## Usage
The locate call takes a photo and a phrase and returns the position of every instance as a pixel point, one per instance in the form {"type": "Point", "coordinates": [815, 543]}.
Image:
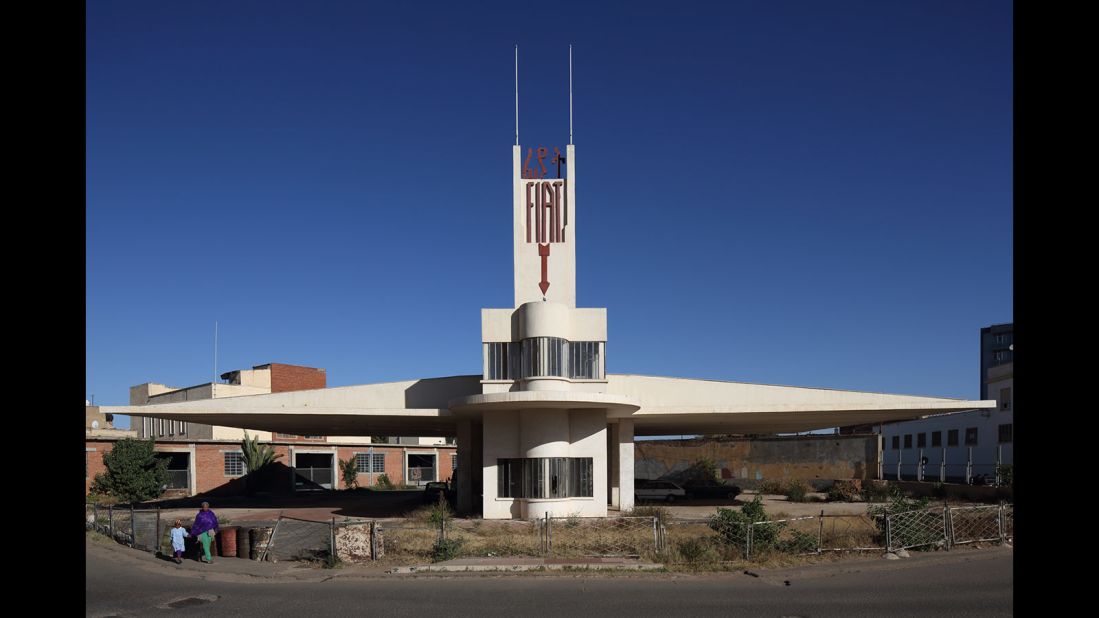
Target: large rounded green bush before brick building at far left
{"type": "Point", "coordinates": [135, 473]}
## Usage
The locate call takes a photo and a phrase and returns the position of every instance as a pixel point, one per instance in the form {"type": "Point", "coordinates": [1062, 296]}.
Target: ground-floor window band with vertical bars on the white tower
{"type": "Point", "coordinates": [546, 478]}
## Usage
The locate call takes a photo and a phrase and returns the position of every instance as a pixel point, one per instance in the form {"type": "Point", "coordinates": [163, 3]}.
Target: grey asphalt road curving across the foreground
{"type": "Point", "coordinates": [979, 586]}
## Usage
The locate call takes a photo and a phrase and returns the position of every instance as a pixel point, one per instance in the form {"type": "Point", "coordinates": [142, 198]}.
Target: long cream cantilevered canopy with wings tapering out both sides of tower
{"type": "Point", "coordinates": [659, 406]}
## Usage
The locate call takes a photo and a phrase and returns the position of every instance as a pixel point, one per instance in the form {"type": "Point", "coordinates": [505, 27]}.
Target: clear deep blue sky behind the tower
{"type": "Point", "coordinates": [813, 194]}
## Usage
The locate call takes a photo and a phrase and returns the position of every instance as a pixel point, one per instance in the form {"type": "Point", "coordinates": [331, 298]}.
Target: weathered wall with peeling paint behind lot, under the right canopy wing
{"type": "Point", "coordinates": [762, 459]}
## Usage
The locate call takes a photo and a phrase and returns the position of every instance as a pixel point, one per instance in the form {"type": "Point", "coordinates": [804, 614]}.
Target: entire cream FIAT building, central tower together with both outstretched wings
{"type": "Point", "coordinates": [545, 428]}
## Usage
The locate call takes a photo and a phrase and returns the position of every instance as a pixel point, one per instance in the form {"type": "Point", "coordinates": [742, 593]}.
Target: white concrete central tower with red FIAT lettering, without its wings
{"type": "Point", "coordinates": [543, 409]}
